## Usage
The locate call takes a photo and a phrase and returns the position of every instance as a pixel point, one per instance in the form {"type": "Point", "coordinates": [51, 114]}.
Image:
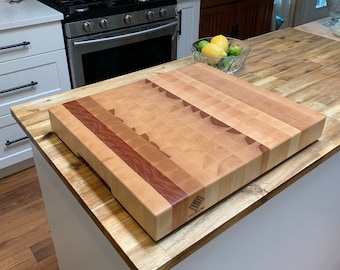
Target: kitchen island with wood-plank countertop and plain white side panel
{"type": "Point", "coordinates": [286, 219]}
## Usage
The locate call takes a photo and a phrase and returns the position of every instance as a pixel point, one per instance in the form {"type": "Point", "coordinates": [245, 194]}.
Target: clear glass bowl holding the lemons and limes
{"type": "Point", "coordinates": [229, 64]}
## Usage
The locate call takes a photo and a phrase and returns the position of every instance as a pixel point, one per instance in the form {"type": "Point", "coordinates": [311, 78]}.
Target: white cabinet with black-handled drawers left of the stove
{"type": "Point", "coordinates": [32, 64]}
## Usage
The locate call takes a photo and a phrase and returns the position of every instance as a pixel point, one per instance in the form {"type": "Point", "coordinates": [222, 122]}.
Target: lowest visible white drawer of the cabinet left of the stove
{"type": "Point", "coordinates": [14, 146]}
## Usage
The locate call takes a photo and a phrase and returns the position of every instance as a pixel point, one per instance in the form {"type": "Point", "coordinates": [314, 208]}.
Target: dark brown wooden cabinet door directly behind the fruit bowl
{"type": "Point", "coordinates": [218, 20]}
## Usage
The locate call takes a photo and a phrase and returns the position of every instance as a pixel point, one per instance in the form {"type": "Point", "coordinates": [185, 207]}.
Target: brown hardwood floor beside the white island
{"type": "Point", "coordinates": [25, 238]}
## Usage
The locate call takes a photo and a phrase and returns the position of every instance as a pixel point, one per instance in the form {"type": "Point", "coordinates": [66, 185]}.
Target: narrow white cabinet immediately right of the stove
{"type": "Point", "coordinates": [188, 12]}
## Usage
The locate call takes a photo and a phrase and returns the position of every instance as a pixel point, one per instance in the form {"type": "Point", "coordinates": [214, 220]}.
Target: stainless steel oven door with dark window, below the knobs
{"type": "Point", "coordinates": [102, 56]}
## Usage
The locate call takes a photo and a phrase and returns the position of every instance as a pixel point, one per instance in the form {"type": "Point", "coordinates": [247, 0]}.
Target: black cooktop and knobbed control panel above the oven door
{"type": "Point", "coordinates": [83, 17]}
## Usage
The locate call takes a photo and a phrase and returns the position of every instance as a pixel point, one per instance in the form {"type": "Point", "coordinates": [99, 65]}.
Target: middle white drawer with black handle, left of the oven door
{"type": "Point", "coordinates": [32, 77]}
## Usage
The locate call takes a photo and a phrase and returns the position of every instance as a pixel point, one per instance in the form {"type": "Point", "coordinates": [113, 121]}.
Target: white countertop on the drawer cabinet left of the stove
{"type": "Point", "coordinates": [26, 13]}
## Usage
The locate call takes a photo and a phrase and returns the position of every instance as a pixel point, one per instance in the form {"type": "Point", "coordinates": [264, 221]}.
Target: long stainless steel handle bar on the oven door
{"type": "Point", "coordinates": [120, 37]}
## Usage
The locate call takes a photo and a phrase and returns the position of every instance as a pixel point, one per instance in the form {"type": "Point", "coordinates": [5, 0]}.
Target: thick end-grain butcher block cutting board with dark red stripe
{"type": "Point", "coordinates": [173, 145]}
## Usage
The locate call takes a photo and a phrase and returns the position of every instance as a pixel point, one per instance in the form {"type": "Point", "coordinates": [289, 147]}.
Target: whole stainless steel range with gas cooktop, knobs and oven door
{"type": "Point", "coordinates": [107, 38]}
